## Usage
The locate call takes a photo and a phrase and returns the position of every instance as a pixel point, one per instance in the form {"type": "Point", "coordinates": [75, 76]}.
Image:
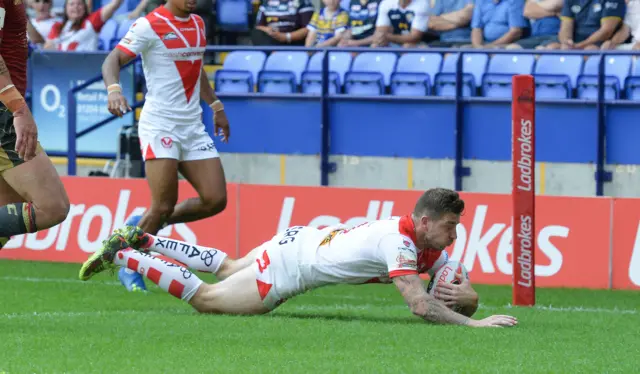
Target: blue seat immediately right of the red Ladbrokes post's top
{"type": "Point", "coordinates": [556, 76]}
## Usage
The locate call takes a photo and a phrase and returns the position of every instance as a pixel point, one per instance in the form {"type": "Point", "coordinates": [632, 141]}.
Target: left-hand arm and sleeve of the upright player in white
{"type": "Point", "coordinates": [134, 42]}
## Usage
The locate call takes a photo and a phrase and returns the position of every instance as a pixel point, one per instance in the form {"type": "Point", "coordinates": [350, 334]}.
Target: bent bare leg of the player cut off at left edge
{"type": "Point", "coordinates": [43, 200]}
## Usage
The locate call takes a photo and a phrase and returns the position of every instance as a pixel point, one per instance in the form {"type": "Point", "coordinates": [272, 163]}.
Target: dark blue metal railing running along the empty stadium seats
{"type": "Point", "coordinates": [601, 175]}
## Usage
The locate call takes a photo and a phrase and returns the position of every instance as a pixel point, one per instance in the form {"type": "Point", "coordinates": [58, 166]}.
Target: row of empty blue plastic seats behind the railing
{"type": "Point", "coordinates": [424, 74]}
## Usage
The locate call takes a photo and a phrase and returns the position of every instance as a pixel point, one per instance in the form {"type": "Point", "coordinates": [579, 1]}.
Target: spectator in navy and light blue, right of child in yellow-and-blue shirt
{"type": "Point", "coordinates": [362, 23]}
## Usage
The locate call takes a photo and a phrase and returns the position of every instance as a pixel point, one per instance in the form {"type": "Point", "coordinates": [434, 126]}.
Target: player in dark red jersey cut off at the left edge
{"type": "Point", "coordinates": [32, 196]}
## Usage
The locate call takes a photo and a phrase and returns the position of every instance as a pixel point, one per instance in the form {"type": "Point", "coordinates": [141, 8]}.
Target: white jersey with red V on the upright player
{"type": "Point", "coordinates": [172, 49]}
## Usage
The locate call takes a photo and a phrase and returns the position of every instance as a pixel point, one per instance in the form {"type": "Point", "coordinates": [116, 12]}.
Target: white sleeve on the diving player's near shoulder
{"type": "Point", "coordinates": [400, 255]}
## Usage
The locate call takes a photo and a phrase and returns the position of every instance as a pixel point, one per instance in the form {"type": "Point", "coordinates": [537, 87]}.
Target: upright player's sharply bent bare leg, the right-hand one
{"type": "Point", "coordinates": [207, 178]}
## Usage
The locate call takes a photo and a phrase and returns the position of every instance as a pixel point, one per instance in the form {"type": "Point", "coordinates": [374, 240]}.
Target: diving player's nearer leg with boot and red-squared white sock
{"type": "Point", "coordinates": [236, 295]}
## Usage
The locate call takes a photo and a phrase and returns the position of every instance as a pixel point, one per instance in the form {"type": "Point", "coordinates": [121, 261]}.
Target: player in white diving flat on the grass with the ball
{"type": "Point", "coordinates": [304, 258]}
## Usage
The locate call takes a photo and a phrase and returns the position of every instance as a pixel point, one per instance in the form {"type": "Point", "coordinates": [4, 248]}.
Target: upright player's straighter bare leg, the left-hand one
{"type": "Point", "coordinates": [162, 177]}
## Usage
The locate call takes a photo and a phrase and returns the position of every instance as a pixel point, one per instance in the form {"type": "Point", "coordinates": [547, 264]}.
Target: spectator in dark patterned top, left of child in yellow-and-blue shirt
{"type": "Point", "coordinates": [282, 22]}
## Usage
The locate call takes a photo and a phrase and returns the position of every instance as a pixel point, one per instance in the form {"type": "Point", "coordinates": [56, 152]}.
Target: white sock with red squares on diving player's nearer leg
{"type": "Point", "coordinates": [176, 280]}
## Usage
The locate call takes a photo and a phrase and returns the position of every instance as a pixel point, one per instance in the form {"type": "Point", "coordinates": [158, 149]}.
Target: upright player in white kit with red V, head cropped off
{"type": "Point", "coordinates": [173, 138]}
